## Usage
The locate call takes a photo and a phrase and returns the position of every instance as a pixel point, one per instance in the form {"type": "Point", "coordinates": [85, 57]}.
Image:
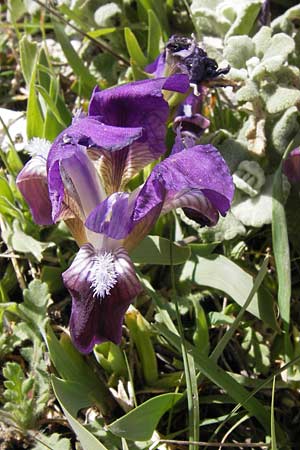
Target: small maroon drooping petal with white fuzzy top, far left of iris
{"type": "Point", "coordinates": [32, 182]}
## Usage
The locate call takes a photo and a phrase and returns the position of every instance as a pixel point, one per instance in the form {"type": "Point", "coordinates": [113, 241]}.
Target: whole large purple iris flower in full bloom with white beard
{"type": "Point", "coordinates": [84, 174]}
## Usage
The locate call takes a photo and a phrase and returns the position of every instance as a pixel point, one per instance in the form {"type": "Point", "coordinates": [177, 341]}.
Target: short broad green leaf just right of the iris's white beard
{"type": "Point", "coordinates": [156, 250]}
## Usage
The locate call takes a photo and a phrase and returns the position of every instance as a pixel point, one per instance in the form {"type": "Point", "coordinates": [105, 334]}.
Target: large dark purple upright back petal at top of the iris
{"type": "Point", "coordinates": [134, 106]}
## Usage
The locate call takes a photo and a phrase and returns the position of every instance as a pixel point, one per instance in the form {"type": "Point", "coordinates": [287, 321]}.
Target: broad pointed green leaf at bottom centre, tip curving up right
{"type": "Point", "coordinates": [140, 423]}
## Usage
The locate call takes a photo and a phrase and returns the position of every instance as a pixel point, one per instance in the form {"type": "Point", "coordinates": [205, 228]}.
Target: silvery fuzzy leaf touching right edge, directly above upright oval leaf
{"type": "Point", "coordinates": [281, 99]}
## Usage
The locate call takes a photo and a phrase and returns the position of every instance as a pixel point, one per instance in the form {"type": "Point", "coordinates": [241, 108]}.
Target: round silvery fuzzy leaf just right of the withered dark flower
{"type": "Point", "coordinates": [238, 49]}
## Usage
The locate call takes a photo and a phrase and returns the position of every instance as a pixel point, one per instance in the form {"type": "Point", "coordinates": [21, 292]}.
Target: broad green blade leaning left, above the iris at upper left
{"type": "Point", "coordinates": [88, 82]}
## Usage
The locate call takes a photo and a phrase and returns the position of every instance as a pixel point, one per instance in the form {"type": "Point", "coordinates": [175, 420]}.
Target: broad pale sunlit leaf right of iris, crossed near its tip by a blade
{"type": "Point", "coordinates": [219, 272]}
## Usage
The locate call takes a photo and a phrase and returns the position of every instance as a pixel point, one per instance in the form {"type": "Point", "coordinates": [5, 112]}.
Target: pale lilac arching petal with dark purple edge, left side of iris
{"type": "Point", "coordinates": [72, 174]}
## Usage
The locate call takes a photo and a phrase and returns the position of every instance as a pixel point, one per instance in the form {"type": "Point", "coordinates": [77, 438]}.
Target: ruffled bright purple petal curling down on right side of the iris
{"type": "Point", "coordinates": [197, 178]}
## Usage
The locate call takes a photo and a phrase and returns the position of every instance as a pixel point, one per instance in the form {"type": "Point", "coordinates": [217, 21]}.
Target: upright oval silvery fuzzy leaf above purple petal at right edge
{"type": "Point", "coordinates": [285, 129]}
